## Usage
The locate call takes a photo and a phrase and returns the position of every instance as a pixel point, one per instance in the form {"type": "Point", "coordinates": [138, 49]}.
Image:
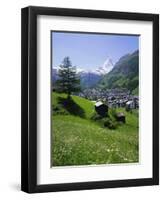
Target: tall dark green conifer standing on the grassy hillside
{"type": "Point", "coordinates": [68, 81]}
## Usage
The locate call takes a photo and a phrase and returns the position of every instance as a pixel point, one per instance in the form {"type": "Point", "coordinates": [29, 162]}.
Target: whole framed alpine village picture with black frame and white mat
{"type": "Point", "coordinates": [90, 99]}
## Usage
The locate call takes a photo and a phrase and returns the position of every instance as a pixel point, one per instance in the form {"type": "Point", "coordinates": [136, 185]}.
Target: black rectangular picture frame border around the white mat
{"type": "Point", "coordinates": [29, 99]}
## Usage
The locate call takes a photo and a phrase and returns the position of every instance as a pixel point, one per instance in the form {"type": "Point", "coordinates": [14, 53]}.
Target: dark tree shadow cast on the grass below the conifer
{"type": "Point", "coordinates": [71, 106]}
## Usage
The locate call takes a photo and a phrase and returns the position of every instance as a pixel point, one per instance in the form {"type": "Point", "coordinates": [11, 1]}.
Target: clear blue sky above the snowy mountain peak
{"type": "Point", "coordinates": [89, 51]}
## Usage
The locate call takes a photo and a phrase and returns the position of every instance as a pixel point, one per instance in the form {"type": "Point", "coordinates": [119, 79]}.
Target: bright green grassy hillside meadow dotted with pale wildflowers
{"type": "Point", "coordinates": [78, 140]}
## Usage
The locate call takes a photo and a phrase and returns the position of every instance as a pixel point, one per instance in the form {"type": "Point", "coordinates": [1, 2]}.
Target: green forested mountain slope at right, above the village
{"type": "Point", "coordinates": [125, 74]}
